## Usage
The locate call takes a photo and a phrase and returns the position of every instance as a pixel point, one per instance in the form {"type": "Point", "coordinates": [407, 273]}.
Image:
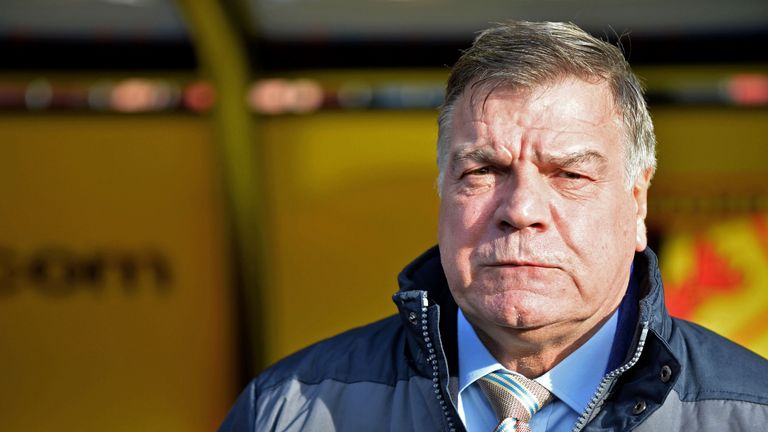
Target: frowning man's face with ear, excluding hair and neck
{"type": "Point", "coordinates": [537, 228]}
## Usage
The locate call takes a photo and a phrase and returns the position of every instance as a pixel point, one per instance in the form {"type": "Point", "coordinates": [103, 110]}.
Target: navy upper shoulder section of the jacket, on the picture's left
{"type": "Point", "coordinates": [367, 353]}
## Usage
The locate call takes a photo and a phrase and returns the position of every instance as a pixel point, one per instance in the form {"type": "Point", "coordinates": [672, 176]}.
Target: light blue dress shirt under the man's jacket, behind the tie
{"type": "Point", "coordinates": [573, 381]}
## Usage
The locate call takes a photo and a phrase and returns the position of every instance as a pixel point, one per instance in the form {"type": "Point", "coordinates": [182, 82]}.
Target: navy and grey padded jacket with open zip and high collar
{"type": "Point", "coordinates": [399, 374]}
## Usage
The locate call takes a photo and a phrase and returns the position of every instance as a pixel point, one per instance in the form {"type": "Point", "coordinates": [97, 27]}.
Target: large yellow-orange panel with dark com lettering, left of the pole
{"type": "Point", "coordinates": [86, 200]}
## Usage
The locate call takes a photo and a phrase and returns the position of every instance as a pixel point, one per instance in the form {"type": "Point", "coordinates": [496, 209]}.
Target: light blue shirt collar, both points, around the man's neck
{"type": "Point", "coordinates": [574, 389]}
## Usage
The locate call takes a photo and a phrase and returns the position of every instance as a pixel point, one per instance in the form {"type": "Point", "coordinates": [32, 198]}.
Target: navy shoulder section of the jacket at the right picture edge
{"type": "Point", "coordinates": [717, 368]}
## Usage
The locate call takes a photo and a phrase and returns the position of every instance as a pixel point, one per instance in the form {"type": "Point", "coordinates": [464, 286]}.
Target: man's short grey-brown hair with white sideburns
{"type": "Point", "coordinates": [526, 55]}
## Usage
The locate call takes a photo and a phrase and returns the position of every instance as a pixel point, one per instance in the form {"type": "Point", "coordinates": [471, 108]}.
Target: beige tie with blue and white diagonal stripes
{"type": "Point", "coordinates": [514, 398]}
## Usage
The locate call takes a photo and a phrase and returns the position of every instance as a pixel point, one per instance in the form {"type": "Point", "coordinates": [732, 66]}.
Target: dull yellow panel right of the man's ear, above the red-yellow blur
{"type": "Point", "coordinates": [711, 166]}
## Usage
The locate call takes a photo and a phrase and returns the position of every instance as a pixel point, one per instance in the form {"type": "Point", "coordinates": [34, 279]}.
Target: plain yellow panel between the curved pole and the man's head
{"type": "Point", "coordinates": [353, 201]}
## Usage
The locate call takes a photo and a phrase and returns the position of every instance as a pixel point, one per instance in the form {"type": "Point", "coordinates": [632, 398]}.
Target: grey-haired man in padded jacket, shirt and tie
{"type": "Point", "coordinates": [542, 308]}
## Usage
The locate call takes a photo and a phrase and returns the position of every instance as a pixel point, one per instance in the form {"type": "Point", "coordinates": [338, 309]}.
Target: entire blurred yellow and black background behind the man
{"type": "Point", "coordinates": [190, 190]}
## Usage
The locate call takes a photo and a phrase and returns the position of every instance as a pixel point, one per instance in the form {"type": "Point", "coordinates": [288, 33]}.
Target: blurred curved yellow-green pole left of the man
{"type": "Point", "coordinates": [223, 58]}
